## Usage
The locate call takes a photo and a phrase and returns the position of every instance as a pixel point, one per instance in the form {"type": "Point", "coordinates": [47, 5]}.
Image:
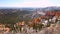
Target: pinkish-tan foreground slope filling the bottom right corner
{"type": "Point", "coordinates": [53, 29]}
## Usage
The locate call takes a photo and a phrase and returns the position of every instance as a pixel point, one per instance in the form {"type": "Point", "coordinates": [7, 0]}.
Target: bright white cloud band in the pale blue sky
{"type": "Point", "coordinates": [30, 3]}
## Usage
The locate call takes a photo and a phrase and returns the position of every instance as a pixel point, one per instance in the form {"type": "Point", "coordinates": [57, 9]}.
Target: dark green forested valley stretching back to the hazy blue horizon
{"type": "Point", "coordinates": [13, 15]}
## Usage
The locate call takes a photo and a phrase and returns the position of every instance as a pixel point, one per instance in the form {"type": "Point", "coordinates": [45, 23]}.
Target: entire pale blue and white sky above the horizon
{"type": "Point", "coordinates": [29, 3]}
